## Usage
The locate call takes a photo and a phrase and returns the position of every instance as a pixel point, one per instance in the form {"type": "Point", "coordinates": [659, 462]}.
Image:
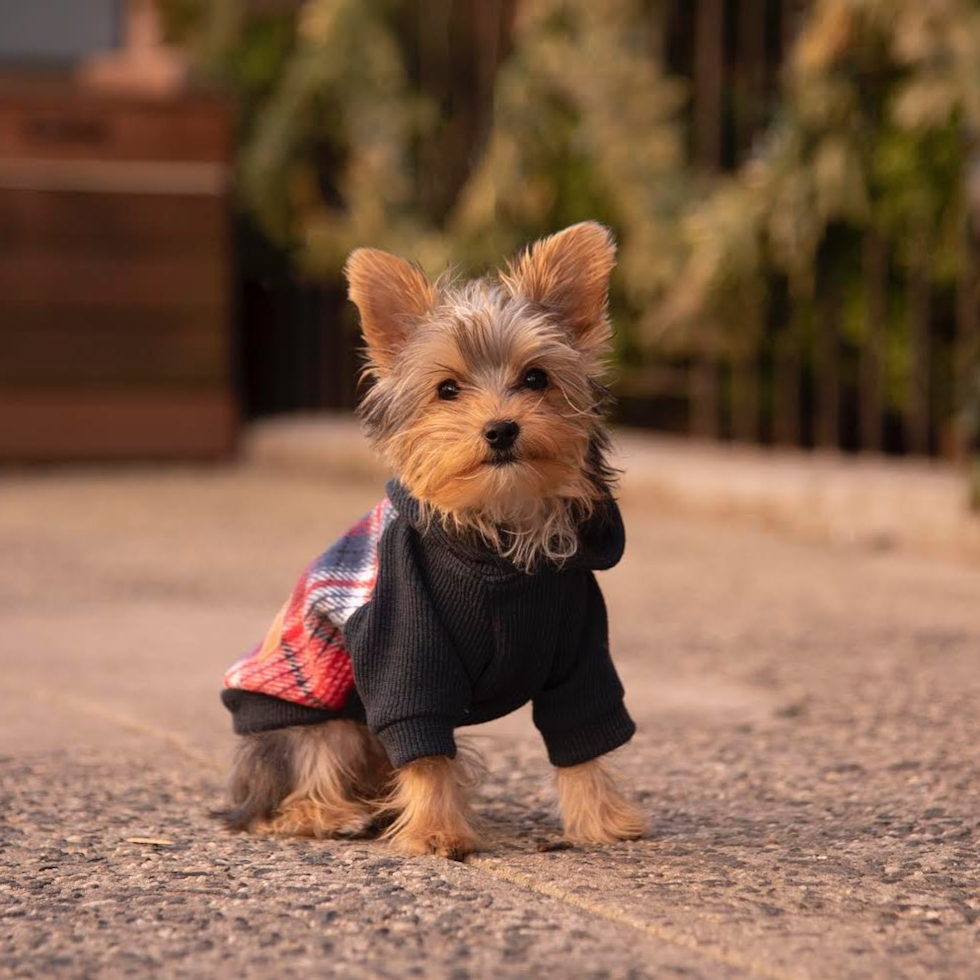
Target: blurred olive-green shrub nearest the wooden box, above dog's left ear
{"type": "Point", "coordinates": [329, 124]}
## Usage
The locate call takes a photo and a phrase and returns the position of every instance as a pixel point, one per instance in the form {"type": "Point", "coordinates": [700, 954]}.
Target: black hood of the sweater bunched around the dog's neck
{"type": "Point", "coordinates": [602, 539]}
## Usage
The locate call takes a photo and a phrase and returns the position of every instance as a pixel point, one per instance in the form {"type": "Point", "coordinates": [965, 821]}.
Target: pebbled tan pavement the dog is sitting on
{"type": "Point", "coordinates": [808, 757]}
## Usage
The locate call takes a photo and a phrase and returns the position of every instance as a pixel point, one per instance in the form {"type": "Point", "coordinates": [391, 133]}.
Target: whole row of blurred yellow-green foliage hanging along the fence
{"type": "Point", "coordinates": [344, 142]}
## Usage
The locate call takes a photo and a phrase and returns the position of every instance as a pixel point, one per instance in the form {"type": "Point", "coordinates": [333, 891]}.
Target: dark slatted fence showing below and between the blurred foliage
{"type": "Point", "coordinates": [807, 382]}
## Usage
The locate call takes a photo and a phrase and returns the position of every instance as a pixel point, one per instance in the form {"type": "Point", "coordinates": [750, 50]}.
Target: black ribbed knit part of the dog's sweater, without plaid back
{"type": "Point", "coordinates": [455, 635]}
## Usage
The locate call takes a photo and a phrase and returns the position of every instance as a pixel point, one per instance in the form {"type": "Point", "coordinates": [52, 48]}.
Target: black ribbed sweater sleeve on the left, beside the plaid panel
{"type": "Point", "coordinates": [406, 669]}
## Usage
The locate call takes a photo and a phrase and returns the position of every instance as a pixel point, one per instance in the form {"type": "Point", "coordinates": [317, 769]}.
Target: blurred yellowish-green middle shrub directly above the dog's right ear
{"type": "Point", "coordinates": [586, 125]}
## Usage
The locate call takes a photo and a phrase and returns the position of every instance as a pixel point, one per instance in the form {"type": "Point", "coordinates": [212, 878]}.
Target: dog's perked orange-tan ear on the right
{"type": "Point", "coordinates": [569, 273]}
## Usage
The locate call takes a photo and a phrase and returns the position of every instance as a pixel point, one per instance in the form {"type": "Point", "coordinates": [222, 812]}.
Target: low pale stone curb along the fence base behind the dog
{"type": "Point", "coordinates": [868, 501]}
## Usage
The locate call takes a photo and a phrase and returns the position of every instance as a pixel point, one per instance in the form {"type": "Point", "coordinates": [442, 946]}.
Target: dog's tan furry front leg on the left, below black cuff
{"type": "Point", "coordinates": [431, 800]}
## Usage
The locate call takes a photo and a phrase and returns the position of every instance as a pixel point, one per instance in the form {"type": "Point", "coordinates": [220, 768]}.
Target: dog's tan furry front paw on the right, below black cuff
{"type": "Point", "coordinates": [593, 810]}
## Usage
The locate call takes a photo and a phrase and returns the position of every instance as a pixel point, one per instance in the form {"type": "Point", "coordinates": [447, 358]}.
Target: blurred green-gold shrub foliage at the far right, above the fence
{"type": "Point", "coordinates": [881, 98]}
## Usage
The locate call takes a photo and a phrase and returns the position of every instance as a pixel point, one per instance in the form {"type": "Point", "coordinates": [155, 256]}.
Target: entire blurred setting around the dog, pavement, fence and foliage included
{"type": "Point", "coordinates": [795, 187]}
